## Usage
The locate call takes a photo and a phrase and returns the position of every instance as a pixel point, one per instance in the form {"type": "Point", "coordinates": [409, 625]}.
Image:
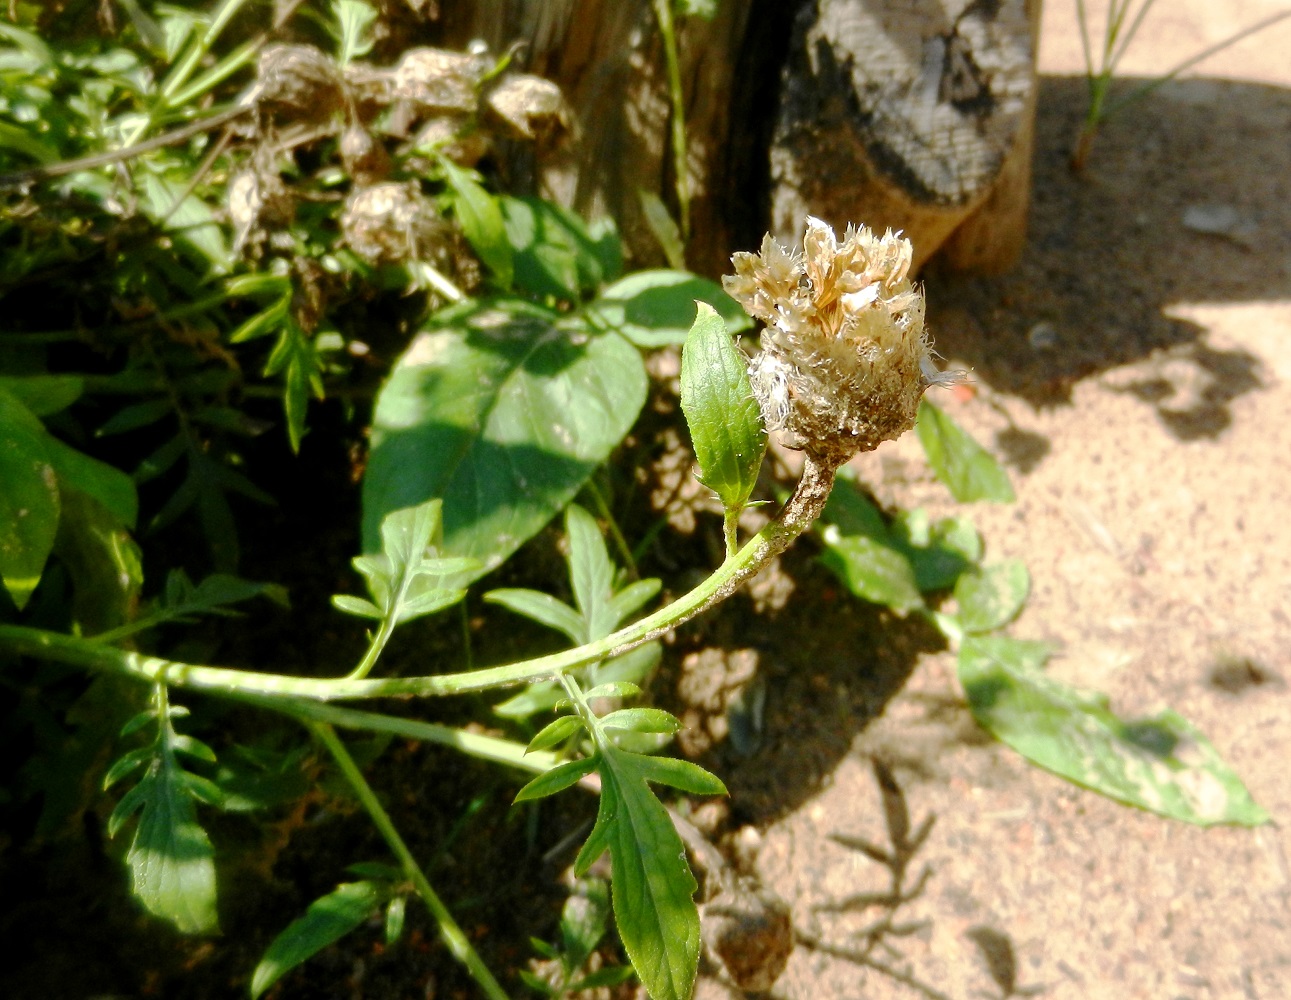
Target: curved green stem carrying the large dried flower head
{"type": "Point", "coordinates": [802, 509]}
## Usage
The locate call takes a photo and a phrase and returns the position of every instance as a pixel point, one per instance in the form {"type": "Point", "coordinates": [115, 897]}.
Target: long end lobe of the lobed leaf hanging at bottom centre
{"type": "Point", "coordinates": [651, 883]}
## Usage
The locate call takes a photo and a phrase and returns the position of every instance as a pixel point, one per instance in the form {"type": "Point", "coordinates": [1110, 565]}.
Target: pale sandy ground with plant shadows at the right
{"type": "Point", "coordinates": [1134, 371]}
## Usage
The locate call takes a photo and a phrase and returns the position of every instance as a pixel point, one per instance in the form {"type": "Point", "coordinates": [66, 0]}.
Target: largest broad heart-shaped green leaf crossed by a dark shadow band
{"type": "Point", "coordinates": [502, 416]}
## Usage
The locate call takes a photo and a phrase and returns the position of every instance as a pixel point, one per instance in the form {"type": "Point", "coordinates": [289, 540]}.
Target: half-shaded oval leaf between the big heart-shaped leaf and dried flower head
{"type": "Point", "coordinates": [654, 309]}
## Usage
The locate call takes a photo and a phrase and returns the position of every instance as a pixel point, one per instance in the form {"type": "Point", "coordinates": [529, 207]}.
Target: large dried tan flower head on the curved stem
{"type": "Point", "coordinates": [845, 358]}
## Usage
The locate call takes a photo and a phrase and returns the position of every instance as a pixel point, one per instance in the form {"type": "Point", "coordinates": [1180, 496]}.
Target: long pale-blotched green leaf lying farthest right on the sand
{"type": "Point", "coordinates": [1161, 765]}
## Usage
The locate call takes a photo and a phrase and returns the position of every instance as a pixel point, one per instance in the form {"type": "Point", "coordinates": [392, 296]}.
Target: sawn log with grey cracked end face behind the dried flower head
{"type": "Point", "coordinates": [910, 114]}
